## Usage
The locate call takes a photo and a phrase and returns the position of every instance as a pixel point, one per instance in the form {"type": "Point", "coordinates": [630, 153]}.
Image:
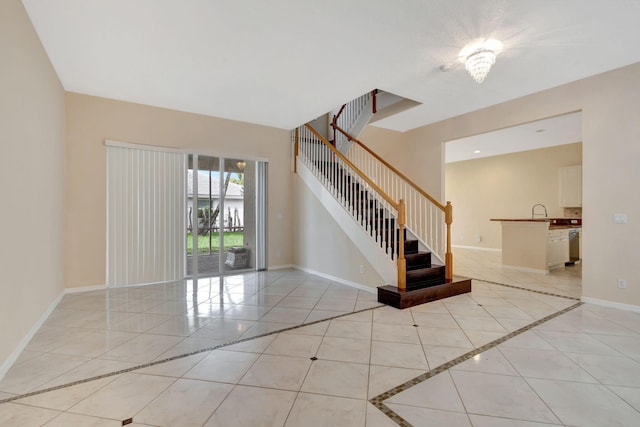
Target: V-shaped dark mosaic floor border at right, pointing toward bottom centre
{"type": "Point", "coordinates": [378, 401]}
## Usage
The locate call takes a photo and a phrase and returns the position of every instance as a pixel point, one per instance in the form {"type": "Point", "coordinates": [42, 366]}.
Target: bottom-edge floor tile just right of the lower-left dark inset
{"type": "Point", "coordinates": [185, 403]}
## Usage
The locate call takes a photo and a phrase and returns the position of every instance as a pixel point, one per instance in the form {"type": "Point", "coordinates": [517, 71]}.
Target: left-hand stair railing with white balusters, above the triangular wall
{"type": "Point", "coordinates": [374, 210]}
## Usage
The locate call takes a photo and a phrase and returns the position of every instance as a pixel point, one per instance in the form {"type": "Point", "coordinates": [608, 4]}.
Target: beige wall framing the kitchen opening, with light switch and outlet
{"type": "Point", "coordinates": [610, 172]}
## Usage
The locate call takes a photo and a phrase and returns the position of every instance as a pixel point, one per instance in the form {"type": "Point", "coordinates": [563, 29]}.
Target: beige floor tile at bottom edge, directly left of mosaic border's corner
{"type": "Point", "coordinates": [315, 410]}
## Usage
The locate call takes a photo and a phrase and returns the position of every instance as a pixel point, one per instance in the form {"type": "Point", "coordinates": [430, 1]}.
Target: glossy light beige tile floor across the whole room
{"type": "Point", "coordinates": [168, 356]}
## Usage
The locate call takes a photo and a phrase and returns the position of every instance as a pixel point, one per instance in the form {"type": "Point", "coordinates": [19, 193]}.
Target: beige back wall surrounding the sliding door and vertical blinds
{"type": "Point", "coordinates": [91, 120]}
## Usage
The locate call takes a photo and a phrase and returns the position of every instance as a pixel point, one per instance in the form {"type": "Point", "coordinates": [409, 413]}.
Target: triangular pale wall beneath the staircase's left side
{"type": "Point", "coordinates": [321, 244]}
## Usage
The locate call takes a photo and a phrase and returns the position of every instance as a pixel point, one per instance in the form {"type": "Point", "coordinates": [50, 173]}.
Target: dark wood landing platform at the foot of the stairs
{"type": "Point", "coordinates": [390, 295]}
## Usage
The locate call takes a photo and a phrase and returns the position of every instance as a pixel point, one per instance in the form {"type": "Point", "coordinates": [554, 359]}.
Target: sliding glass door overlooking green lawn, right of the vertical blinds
{"type": "Point", "coordinates": [224, 232]}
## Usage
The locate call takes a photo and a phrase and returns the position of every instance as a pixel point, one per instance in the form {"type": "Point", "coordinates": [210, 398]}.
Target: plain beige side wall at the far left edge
{"type": "Point", "coordinates": [31, 179]}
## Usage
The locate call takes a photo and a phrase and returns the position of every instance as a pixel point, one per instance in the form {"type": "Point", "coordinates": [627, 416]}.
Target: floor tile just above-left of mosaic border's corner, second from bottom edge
{"type": "Point", "coordinates": [337, 379]}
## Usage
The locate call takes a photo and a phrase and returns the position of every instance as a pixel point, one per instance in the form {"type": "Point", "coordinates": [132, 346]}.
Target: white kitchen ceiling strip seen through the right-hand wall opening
{"type": "Point", "coordinates": [559, 130]}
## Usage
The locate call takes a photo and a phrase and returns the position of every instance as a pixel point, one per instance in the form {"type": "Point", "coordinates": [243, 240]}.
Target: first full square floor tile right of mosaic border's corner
{"type": "Point", "coordinates": [501, 396]}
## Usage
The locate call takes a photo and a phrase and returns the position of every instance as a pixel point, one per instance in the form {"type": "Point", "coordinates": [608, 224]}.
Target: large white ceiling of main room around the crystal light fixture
{"type": "Point", "coordinates": [285, 62]}
